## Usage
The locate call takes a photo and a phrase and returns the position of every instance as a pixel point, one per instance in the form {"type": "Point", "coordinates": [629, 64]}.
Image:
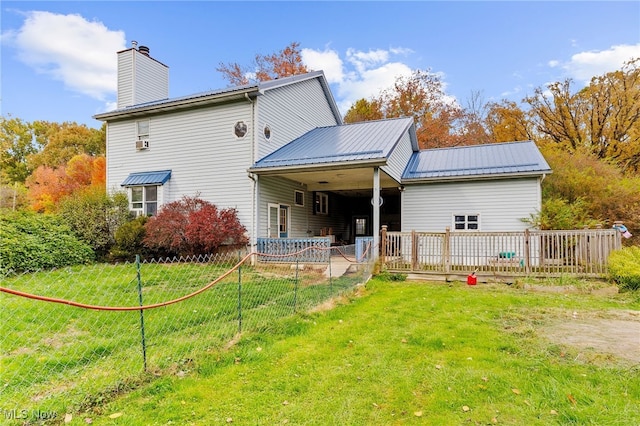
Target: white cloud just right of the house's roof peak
{"type": "Point", "coordinates": [360, 75]}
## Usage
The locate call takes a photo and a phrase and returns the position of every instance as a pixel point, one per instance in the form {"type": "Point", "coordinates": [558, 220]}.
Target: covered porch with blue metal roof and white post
{"type": "Point", "coordinates": [339, 183]}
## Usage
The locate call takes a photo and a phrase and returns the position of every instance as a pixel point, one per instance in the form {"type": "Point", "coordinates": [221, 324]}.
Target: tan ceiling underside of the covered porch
{"type": "Point", "coordinates": [341, 180]}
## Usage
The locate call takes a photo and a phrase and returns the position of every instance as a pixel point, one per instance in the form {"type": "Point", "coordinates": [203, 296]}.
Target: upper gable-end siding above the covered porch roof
{"type": "Point", "coordinates": [291, 111]}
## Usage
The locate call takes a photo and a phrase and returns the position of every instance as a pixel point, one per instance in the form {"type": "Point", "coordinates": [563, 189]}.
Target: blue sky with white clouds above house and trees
{"type": "Point", "coordinates": [59, 58]}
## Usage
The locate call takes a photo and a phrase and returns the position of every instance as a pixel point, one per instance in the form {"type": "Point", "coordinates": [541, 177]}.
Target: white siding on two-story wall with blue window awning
{"type": "Point", "coordinates": [200, 149]}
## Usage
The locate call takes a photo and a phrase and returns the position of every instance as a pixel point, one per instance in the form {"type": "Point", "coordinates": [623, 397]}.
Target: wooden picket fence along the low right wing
{"type": "Point", "coordinates": [528, 253]}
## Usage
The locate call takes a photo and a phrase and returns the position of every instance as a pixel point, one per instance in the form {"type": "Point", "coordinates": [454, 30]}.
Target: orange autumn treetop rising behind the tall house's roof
{"type": "Point", "coordinates": [284, 63]}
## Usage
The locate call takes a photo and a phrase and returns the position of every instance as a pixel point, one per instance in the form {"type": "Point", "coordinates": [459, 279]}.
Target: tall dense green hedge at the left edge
{"type": "Point", "coordinates": [32, 241]}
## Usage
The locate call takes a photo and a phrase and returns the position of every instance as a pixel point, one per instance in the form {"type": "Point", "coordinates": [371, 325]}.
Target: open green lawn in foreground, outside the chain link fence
{"type": "Point", "coordinates": [400, 353]}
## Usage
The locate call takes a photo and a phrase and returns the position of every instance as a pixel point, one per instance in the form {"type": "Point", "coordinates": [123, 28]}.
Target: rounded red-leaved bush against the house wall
{"type": "Point", "coordinates": [192, 226]}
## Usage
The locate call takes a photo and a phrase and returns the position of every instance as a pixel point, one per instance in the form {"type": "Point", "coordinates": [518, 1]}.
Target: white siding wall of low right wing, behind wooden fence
{"type": "Point", "coordinates": [500, 204]}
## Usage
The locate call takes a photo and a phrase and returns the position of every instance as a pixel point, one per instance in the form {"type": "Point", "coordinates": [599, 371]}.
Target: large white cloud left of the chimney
{"type": "Point", "coordinates": [70, 49]}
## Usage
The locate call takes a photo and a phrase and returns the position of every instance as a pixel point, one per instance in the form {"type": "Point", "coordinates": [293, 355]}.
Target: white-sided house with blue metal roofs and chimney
{"type": "Point", "coordinates": [279, 153]}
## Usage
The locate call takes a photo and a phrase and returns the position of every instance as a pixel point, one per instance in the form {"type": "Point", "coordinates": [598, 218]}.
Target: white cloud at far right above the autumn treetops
{"type": "Point", "coordinates": [585, 65]}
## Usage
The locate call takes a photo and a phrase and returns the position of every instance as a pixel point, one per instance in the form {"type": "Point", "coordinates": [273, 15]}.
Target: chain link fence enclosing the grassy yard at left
{"type": "Point", "coordinates": [69, 335]}
